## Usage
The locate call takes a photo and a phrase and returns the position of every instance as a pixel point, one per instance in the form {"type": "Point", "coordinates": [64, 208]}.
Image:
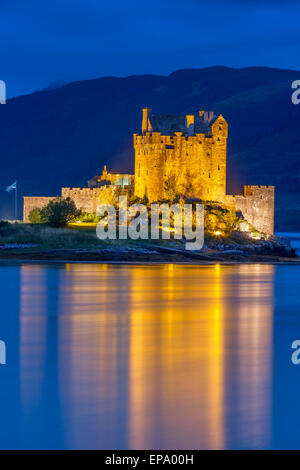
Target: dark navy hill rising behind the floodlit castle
{"type": "Point", "coordinates": [63, 137]}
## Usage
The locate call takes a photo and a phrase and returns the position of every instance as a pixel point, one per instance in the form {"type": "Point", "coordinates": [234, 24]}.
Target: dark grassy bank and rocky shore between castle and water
{"type": "Point", "coordinates": [39, 243]}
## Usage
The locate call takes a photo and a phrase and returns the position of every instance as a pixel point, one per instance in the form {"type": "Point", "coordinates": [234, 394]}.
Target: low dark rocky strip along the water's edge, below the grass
{"type": "Point", "coordinates": [273, 250]}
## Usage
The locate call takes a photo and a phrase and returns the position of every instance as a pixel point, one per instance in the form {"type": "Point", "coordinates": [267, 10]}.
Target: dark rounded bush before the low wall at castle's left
{"type": "Point", "coordinates": [59, 212]}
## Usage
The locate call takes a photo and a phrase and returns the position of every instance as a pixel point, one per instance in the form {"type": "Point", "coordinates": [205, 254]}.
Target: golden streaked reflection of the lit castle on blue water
{"type": "Point", "coordinates": [166, 356]}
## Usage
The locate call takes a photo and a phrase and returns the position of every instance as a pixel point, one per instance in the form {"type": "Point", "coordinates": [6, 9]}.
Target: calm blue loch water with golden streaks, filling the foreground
{"type": "Point", "coordinates": [149, 357]}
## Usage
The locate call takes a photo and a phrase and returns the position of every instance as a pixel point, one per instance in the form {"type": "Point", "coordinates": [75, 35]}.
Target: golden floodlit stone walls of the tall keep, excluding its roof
{"type": "Point", "coordinates": [196, 164]}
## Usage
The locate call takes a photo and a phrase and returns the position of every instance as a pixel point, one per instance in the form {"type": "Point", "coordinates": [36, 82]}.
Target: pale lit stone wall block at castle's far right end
{"type": "Point", "coordinates": [256, 205]}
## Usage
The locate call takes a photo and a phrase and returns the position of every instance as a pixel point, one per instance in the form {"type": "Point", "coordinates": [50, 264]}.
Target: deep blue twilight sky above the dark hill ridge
{"type": "Point", "coordinates": [49, 41]}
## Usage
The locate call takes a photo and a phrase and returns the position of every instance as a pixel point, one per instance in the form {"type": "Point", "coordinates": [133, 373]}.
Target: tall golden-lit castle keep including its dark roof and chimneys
{"type": "Point", "coordinates": [185, 155]}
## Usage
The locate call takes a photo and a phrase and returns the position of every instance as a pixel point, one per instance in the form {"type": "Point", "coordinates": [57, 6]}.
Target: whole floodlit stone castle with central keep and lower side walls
{"type": "Point", "coordinates": [184, 155]}
